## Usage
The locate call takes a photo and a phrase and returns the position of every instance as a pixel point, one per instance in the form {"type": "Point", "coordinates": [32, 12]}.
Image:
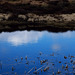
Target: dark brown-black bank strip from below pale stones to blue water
{"type": "Point", "coordinates": [36, 26]}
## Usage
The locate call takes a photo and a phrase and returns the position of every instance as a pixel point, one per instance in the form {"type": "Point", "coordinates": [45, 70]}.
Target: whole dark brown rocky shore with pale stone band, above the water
{"type": "Point", "coordinates": [52, 16]}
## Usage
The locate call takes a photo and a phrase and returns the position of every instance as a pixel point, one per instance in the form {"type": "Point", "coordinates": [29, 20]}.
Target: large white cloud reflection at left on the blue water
{"type": "Point", "coordinates": [19, 38]}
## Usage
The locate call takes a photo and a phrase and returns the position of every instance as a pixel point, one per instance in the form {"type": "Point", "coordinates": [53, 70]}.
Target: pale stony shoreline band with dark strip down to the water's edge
{"type": "Point", "coordinates": [31, 21]}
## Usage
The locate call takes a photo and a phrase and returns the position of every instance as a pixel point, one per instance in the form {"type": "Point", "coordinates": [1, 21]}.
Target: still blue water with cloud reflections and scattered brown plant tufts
{"type": "Point", "coordinates": [35, 52]}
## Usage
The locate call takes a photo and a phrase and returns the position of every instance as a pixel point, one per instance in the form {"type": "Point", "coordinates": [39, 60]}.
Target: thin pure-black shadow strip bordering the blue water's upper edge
{"type": "Point", "coordinates": [49, 29]}
